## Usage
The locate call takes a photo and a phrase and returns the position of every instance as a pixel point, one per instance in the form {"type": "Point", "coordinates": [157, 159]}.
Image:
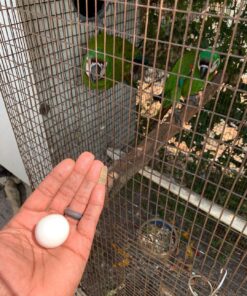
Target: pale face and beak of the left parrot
{"type": "Point", "coordinates": [95, 70]}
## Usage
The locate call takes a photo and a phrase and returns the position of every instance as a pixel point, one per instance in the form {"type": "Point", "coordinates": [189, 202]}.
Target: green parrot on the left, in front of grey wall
{"type": "Point", "coordinates": [98, 66]}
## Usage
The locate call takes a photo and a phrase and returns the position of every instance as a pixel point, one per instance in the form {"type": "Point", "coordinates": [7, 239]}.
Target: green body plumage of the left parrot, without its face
{"type": "Point", "coordinates": [118, 63]}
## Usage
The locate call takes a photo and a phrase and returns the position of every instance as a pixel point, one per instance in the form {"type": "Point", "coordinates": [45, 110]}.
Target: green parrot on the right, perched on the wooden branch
{"type": "Point", "coordinates": [172, 92]}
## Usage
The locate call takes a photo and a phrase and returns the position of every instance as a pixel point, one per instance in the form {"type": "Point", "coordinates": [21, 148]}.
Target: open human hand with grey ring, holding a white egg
{"type": "Point", "coordinates": [28, 269]}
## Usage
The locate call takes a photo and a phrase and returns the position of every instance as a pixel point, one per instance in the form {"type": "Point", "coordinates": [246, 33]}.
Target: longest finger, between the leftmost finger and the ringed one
{"type": "Point", "coordinates": [73, 182]}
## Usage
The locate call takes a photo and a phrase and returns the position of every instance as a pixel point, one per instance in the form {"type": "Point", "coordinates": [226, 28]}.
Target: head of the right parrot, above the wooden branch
{"type": "Point", "coordinates": [205, 57]}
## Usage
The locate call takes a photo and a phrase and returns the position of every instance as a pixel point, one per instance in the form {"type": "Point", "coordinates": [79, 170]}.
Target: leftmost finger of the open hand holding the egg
{"type": "Point", "coordinates": [42, 196]}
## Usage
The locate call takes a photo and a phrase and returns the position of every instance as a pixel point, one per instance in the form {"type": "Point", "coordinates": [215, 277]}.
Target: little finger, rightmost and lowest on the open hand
{"type": "Point", "coordinates": [88, 223]}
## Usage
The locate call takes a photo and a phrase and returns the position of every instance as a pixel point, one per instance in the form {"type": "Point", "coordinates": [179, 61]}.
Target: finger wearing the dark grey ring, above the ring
{"type": "Point", "coordinates": [80, 201]}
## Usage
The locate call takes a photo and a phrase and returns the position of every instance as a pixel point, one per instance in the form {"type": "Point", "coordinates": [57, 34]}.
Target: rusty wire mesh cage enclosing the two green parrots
{"type": "Point", "coordinates": [182, 172]}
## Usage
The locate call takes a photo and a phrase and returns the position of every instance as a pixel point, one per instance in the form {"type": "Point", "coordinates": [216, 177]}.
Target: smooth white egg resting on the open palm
{"type": "Point", "coordinates": [52, 231]}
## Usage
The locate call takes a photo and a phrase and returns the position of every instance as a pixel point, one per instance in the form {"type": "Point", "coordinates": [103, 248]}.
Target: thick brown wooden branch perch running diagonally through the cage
{"type": "Point", "coordinates": [125, 168]}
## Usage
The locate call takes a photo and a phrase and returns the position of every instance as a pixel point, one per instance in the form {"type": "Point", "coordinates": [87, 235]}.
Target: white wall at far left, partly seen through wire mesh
{"type": "Point", "coordinates": [19, 94]}
